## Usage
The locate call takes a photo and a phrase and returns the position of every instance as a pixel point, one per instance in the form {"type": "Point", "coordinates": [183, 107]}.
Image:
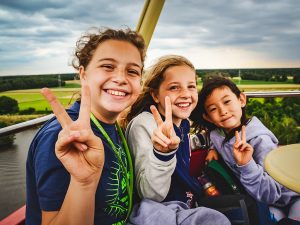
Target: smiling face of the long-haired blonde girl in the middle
{"type": "Point", "coordinates": [180, 85]}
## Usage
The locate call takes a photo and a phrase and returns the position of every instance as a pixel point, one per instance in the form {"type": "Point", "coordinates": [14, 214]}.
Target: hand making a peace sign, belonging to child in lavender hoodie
{"type": "Point", "coordinates": [242, 151]}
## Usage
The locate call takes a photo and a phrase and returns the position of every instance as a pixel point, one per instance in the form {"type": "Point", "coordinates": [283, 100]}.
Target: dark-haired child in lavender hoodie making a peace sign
{"type": "Point", "coordinates": [243, 144]}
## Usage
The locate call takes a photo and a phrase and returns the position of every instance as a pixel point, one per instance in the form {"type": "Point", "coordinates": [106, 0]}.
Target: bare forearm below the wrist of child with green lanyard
{"type": "Point", "coordinates": [78, 206]}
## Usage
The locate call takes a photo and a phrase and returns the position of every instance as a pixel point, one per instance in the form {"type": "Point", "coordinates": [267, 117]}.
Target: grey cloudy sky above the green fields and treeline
{"type": "Point", "coordinates": [38, 36]}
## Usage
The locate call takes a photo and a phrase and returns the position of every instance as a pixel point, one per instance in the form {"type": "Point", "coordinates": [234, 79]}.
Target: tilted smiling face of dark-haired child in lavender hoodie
{"type": "Point", "coordinates": [224, 108]}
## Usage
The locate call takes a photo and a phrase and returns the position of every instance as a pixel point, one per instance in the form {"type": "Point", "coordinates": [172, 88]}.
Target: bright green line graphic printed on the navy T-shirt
{"type": "Point", "coordinates": [117, 198]}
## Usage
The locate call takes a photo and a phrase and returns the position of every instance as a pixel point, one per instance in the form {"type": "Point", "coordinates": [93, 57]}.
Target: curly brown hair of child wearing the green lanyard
{"type": "Point", "coordinates": [88, 42]}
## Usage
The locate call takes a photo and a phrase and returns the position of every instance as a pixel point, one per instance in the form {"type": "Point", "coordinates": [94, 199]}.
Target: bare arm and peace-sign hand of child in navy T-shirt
{"type": "Point", "coordinates": [82, 155]}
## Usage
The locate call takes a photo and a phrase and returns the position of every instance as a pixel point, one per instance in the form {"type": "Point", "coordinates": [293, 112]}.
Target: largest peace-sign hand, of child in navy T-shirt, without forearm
{"type": "Point", "coordinates": [77, 147]}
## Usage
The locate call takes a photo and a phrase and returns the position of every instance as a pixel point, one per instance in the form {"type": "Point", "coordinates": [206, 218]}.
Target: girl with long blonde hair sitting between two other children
{"type": "Point", "coordinates": [159, 140]}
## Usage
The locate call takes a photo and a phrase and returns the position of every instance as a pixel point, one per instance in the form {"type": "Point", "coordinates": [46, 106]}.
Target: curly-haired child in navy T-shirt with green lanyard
{"type": "Point", "coordinates": [68, 180]}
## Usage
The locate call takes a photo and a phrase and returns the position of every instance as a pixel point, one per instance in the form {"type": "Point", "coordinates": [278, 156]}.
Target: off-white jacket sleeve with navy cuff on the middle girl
{"type": "Point", "coordinates": [153, 174]}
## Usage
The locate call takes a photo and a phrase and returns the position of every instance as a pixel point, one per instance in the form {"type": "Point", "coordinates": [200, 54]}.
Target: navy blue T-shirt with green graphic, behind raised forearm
{"type": "Point", "coordinates": [47, 180]}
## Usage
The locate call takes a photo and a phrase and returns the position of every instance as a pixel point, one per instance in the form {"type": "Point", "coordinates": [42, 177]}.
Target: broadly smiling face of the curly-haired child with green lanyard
{"type": "Point", "coordinates": [113, 75]}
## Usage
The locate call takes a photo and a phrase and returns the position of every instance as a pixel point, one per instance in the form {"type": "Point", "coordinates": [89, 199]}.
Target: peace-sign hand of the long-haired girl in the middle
{"type": "Point", "coordinates": [164, 138]}
